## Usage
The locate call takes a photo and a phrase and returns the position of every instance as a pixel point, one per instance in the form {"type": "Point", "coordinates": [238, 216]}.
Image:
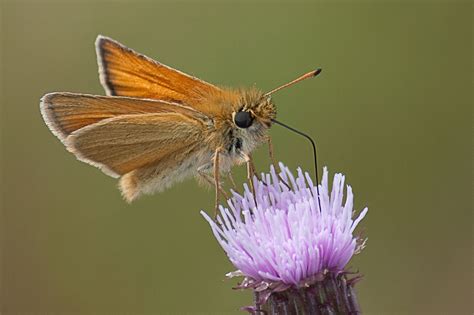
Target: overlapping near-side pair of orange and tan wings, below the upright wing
{"type": "Point", "coordinates": [120, 134]}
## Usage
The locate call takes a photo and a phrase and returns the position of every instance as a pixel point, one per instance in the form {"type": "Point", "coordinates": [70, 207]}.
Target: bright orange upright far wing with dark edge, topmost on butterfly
{"type": "Point", "coordinates": [125, 72]}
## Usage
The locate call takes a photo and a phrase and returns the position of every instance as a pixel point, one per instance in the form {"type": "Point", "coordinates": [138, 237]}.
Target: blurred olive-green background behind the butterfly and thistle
{"type": "Point", "coordinates": [391, 110]}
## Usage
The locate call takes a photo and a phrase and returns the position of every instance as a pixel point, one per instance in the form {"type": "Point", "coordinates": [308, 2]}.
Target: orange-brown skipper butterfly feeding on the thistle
{"type": "Point", "coordinates": [157, 126]}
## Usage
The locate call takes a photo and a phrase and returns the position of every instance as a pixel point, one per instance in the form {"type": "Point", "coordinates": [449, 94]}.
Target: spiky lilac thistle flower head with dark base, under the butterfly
{"type": "Point", "coordinates": [281, 241]}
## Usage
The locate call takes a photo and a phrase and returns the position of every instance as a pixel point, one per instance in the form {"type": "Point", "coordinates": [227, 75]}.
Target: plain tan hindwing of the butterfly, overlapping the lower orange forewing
{"type": "Point", "coordinates": [122, 144]}
